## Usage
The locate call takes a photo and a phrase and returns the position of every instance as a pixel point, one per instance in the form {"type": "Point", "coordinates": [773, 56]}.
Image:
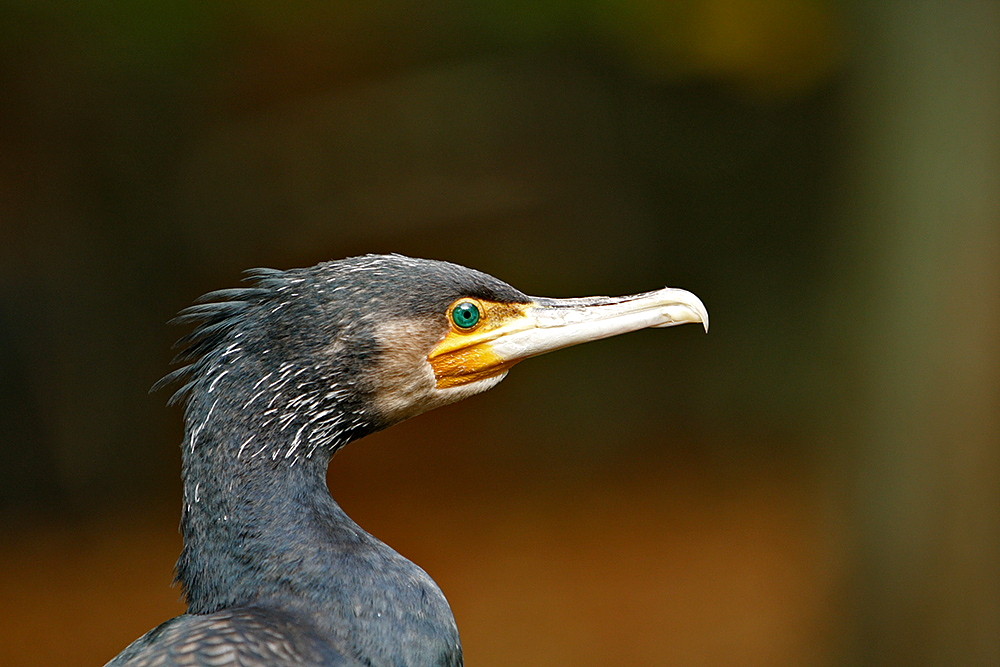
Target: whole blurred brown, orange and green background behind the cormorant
{"type": "Point", "coordinates": [815, 482]}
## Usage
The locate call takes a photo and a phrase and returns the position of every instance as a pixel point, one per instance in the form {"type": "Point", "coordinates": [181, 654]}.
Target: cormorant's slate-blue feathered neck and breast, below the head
{"type": "Point", "coordinates": [261, 529]}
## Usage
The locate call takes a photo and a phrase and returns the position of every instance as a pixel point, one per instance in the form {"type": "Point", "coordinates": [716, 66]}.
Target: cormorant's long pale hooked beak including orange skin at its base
{"type": "Point", "coordinates": [544, 325]}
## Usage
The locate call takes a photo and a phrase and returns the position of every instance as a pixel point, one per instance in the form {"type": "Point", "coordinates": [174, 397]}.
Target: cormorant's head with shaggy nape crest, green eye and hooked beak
{"type": "Point", "coordinates": [368, 341]}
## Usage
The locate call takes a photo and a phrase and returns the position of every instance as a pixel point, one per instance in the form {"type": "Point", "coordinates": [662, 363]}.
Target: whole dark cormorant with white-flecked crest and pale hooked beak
{"type": "Point", "coordinates": [279, 374]}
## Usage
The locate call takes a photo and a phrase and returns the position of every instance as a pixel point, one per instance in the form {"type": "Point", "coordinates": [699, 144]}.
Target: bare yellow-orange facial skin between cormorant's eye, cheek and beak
{"type": "Point", "coordinates": [465, 355]}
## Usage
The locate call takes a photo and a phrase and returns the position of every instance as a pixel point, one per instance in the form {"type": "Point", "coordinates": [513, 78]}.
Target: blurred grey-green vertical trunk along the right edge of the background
{"type": "Point", "coordinates": [925, 313]}
